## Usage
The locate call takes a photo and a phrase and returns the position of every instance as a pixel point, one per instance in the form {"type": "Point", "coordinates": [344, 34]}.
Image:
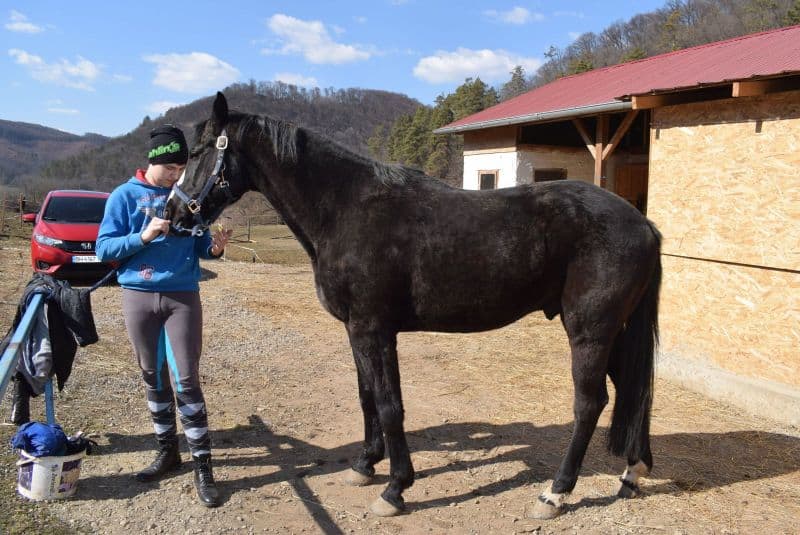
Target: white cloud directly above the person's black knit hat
{"type": "Point", "coordinates": [196, 72]}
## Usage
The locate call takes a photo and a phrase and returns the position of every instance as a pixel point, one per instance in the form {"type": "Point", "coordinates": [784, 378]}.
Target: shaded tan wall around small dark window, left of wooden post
{"type": "Point", "coordinates": [577, 161]}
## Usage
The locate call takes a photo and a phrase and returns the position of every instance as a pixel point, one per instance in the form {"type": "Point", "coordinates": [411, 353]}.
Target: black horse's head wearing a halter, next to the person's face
{"type": "Point", "coordinates": [212, 179]}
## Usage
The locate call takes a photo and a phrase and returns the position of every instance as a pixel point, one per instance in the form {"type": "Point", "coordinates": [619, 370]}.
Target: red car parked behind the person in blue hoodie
{"type": "Point", "coordinates": [65, 232]}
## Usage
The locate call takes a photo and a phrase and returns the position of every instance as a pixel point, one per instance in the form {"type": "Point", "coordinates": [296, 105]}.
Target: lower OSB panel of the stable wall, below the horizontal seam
{"type": "Point", "coordinates": [744, 320]}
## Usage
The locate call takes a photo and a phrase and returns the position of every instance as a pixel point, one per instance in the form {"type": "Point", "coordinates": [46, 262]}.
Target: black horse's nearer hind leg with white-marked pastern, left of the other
{"type": "Point", "coordinates": [589, 361]}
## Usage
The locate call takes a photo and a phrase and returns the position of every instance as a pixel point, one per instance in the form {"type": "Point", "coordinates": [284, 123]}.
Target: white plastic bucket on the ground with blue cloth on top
{"type": "Point", "coordinates": [48, 478]}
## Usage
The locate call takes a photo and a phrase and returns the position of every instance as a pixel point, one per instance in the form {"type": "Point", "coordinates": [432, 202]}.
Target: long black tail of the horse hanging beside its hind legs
{"type": "Point", "coordinates": [632, 368]}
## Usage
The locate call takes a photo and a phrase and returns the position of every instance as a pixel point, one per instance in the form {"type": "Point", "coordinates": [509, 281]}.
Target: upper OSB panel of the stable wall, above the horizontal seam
{"type": "Point", "coordinates": [725, 179]}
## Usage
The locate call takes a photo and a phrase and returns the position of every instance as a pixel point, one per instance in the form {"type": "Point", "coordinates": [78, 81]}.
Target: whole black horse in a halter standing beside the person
{"type": "Point", "coordinates": [394, 250]}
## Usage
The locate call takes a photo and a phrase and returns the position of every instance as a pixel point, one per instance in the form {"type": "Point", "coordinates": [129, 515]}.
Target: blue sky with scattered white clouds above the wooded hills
{"type": "Point", "coordinates": [91, 66]}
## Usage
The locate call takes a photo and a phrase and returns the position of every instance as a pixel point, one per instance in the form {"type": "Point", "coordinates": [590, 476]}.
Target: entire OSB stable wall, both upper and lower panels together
{"type": "Point", "coordinates": [724, 184]}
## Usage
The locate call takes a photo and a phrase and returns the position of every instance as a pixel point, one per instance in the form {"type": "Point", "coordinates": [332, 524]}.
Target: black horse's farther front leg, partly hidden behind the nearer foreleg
{"type": "Point", "coordinates": [373, 447]}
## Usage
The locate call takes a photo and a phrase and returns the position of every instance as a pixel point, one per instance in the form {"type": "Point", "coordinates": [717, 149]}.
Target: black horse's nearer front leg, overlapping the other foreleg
{"type": "Point", "coordinates": [375, 352]}
